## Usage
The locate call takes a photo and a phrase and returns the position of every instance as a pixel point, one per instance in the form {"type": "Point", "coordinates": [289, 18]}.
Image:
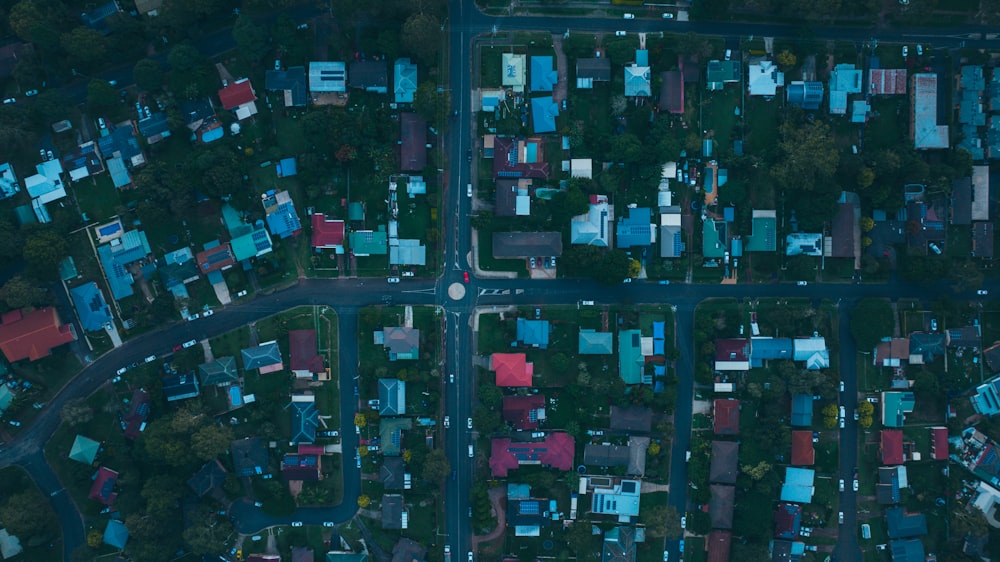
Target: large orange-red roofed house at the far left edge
{"type": "Point", "coordinates": [33, 335]}
